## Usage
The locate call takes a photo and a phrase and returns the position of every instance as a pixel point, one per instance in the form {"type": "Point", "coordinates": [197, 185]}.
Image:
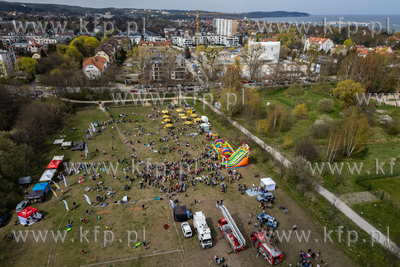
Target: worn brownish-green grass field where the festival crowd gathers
{"type": "Point", "coordinates": [176, 249]}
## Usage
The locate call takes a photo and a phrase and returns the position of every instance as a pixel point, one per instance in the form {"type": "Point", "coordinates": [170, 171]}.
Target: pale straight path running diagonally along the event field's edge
{"type": "Point", "coordinates": [346, 210]}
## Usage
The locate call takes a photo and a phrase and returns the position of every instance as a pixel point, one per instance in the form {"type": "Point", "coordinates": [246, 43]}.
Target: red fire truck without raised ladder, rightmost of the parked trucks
{"type": "Point", "coordinates": [266, 247]}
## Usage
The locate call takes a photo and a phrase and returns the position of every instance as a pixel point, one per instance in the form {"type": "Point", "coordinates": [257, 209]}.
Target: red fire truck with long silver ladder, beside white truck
{"type": "Point", "coordinates": [229, 229]}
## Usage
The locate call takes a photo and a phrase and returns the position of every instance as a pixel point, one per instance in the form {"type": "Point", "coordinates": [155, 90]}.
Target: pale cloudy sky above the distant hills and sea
{"type": "Point", "coordinates": [314, 7]}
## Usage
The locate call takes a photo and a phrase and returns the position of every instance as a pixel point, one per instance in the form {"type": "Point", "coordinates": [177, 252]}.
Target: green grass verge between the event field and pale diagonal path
{"type": "Point", "coordinates": [322, 211]}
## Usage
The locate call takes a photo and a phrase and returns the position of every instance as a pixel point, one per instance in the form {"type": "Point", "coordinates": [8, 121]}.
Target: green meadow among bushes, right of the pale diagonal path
{"type": "Point", "coordinates": [380, 146]}
